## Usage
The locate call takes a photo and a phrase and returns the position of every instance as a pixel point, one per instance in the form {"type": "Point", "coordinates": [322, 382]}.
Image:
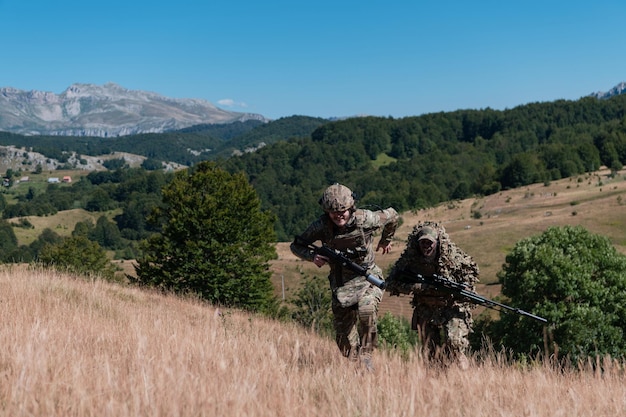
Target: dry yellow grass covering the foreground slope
{"type": "Point", "coordinates": [72, 347]}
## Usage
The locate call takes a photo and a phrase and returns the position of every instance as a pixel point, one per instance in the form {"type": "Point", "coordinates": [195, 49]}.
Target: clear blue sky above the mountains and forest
{"type": "Point", "coordinates": [320, 58]}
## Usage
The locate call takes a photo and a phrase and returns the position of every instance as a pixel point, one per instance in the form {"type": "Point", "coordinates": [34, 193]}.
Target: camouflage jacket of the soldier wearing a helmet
{"type": "Point", "coordinates": [355, 239]}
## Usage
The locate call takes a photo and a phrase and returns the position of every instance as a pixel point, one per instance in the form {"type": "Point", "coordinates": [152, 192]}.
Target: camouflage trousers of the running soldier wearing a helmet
{"type": "Point", "coordinates": [355, 325]}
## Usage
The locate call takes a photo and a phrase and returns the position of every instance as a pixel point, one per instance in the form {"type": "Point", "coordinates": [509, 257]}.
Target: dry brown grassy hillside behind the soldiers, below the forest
{"type": "Point", "coordinates": [594, 201]}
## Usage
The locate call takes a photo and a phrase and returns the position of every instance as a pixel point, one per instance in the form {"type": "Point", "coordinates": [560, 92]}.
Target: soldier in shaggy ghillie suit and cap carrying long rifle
{"type": "Point", "coordinates": [442, 320]}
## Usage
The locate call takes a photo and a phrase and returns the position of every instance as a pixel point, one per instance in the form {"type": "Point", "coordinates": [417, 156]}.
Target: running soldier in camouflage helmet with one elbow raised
{"type": "Point", "coordinates": [354, 300]}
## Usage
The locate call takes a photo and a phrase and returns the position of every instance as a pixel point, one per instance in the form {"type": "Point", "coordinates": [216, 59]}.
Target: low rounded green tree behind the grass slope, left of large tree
{"type": "Point", "coordinates": [78, 255]}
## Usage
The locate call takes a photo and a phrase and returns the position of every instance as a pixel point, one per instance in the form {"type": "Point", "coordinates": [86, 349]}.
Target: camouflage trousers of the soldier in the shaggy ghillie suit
{"type": "Point", "coordinates": [444, 330]}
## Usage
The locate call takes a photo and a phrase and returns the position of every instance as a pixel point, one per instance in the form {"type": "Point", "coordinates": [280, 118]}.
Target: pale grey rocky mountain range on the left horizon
{"type": "Point", "coordinates": [108, 110]}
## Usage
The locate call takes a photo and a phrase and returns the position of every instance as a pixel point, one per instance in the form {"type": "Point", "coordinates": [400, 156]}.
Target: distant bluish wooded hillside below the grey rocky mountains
{"type": "Point", "coordinates": [183, 147]}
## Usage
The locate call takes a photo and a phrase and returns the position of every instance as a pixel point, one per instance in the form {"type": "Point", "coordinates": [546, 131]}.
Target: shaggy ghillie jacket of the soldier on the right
{"type": "Point", "coordinates": [451, 263]}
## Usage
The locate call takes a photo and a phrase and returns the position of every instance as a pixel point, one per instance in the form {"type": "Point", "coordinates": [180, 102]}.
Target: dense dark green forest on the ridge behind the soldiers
{"type": "Point", "coordinates": [416, 162]}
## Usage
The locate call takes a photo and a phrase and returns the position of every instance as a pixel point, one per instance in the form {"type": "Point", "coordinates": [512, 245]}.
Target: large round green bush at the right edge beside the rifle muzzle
{"type": "Point", "coordinates": [576, 280]}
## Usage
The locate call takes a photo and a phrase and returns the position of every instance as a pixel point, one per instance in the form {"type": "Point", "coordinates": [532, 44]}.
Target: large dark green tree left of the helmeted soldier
{"type": "Point", "coordinates": [214, 240]}
